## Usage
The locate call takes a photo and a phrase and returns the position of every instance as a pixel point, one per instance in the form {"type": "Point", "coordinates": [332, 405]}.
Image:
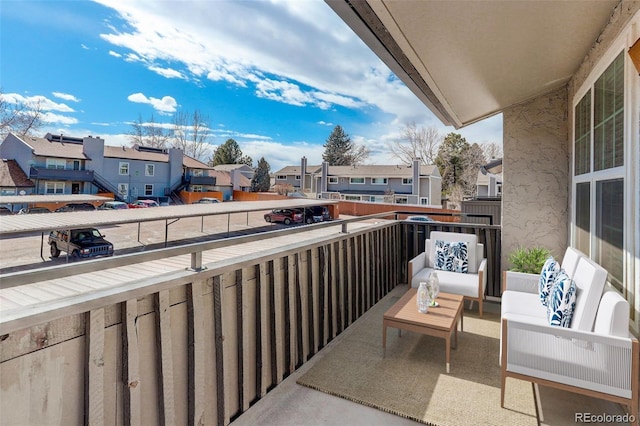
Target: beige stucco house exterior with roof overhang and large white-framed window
{"type": "Point", "coordinates": [564, 76]}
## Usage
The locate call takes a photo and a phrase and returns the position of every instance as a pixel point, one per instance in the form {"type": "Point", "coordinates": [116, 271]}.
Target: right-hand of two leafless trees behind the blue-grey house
{"type": "Point", "coordinates": [190, 133]}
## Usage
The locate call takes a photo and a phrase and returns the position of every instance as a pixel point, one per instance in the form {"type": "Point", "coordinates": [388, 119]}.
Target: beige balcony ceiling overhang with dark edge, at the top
{"type": "Point", "coordinates": [468, 60]}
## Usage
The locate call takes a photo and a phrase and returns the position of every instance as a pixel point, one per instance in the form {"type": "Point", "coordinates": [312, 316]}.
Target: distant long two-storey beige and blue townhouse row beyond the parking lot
{"type": "Point", "coordinates": [417, 184]}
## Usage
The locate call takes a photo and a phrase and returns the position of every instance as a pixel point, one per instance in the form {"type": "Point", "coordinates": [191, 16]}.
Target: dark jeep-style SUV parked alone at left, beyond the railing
{"type": "Point", "coordinates": [84, 243]}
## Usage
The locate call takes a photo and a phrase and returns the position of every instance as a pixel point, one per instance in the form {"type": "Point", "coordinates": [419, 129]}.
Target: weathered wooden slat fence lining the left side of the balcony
{"type": "Point", "coordinates": [200, 351]}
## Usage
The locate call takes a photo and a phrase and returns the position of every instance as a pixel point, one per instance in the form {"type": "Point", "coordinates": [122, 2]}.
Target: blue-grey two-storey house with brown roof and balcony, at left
{"type": "Point", "coordinates": [60, 164]}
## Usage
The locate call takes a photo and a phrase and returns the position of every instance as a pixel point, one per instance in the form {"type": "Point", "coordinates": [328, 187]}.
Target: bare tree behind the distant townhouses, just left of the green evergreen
{"type": "Point", "coordinates": [417, 143]}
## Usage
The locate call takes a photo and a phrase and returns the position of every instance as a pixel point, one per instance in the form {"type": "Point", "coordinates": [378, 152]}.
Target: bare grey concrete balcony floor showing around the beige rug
{"type": "Point", "coordinates": [292, 404]}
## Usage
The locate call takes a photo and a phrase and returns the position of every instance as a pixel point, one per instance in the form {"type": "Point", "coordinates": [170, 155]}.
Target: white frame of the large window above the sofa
{"type": "Point", "coordinates": [627, 172]}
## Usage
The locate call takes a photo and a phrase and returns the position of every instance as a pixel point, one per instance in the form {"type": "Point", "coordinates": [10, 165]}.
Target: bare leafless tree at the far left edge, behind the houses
{"type": "Point", "coordinates": [20, 118]}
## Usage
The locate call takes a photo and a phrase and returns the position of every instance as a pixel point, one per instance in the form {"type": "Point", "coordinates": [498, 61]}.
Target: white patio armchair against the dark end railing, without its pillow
{"type": "Point", "coordinates": [471, 285]}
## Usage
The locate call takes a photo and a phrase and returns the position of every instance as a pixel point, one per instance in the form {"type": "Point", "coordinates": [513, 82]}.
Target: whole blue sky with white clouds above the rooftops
{"type": "Point", "coordinates": [276, 76]}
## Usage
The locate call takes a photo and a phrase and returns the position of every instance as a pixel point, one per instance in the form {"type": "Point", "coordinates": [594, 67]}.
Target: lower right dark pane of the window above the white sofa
{"type": "Point", "coordinates": [609, 228]}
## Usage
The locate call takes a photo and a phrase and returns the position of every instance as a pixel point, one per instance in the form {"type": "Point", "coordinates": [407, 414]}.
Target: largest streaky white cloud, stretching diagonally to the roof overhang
{"type": "Point", "coordinates": [299, 53]}
